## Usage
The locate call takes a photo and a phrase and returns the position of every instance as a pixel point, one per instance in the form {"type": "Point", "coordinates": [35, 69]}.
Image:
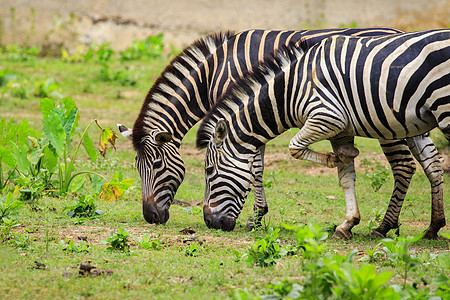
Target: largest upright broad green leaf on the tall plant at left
{"type": "Point", "coordinates": [54, 131]}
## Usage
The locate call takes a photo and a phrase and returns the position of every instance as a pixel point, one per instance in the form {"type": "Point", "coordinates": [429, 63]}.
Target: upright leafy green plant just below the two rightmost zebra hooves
{"type": "Point", "coordinates": [399, 254]}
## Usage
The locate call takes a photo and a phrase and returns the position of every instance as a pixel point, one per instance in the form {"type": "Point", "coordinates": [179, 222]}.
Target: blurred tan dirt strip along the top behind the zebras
{"type": "Point", "coordinates": [52, 24]}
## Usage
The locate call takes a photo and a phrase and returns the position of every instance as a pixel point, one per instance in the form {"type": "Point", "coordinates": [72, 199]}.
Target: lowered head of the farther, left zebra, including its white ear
{"type": "Point", "coordinates": [161, 168]}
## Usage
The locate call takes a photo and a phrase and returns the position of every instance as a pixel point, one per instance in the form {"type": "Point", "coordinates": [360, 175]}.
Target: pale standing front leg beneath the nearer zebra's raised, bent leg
{"type": "Point", "coordinates": [347, 179]}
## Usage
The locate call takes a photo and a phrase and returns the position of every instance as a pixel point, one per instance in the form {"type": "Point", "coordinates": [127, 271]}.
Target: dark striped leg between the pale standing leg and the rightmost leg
{"type": "Point", "coordinates": [403, 168]}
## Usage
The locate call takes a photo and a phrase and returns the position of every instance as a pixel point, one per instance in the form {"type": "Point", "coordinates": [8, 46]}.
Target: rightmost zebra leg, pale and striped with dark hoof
{"type": "Point", "coordinates": [426, 154]}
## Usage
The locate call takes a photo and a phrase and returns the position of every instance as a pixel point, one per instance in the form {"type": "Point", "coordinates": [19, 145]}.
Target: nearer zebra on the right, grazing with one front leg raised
{"type": "Point", "coordinates": [389, 88]}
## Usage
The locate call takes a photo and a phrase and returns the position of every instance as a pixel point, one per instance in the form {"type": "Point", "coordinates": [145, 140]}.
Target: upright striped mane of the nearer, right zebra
{"type": "Point", "coordinates": [238, 92]}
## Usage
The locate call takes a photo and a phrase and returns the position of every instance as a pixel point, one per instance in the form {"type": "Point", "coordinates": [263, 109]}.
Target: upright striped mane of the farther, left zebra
{"type": "Point", "coordinates": [192, 54]}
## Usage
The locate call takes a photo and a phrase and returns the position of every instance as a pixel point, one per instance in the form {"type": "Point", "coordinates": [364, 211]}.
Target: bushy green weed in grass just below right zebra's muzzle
{"type": "Point", "coordinates": [266, 251]}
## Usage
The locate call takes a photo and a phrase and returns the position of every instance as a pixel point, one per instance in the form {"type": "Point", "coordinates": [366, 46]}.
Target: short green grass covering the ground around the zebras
{"type": "Point", "coordinates": [299, 193]}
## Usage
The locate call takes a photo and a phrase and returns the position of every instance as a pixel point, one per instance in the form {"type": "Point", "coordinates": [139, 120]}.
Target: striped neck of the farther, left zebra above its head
{"type": "Point", "coordinates": [179, 98]}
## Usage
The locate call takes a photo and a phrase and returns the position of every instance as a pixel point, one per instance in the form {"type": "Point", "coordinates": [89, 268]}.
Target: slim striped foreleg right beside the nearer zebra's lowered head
{"type": "Point", "coordinates": [260, 207]}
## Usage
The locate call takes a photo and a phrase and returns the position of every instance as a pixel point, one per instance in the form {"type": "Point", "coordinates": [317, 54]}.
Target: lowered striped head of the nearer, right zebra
{"type": "Point", "coordinates": [229, 177]}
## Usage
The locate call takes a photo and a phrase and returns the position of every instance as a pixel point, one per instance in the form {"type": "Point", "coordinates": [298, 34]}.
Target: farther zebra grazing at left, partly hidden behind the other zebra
{"type": "Point", "coordinates": [187, 89]}
